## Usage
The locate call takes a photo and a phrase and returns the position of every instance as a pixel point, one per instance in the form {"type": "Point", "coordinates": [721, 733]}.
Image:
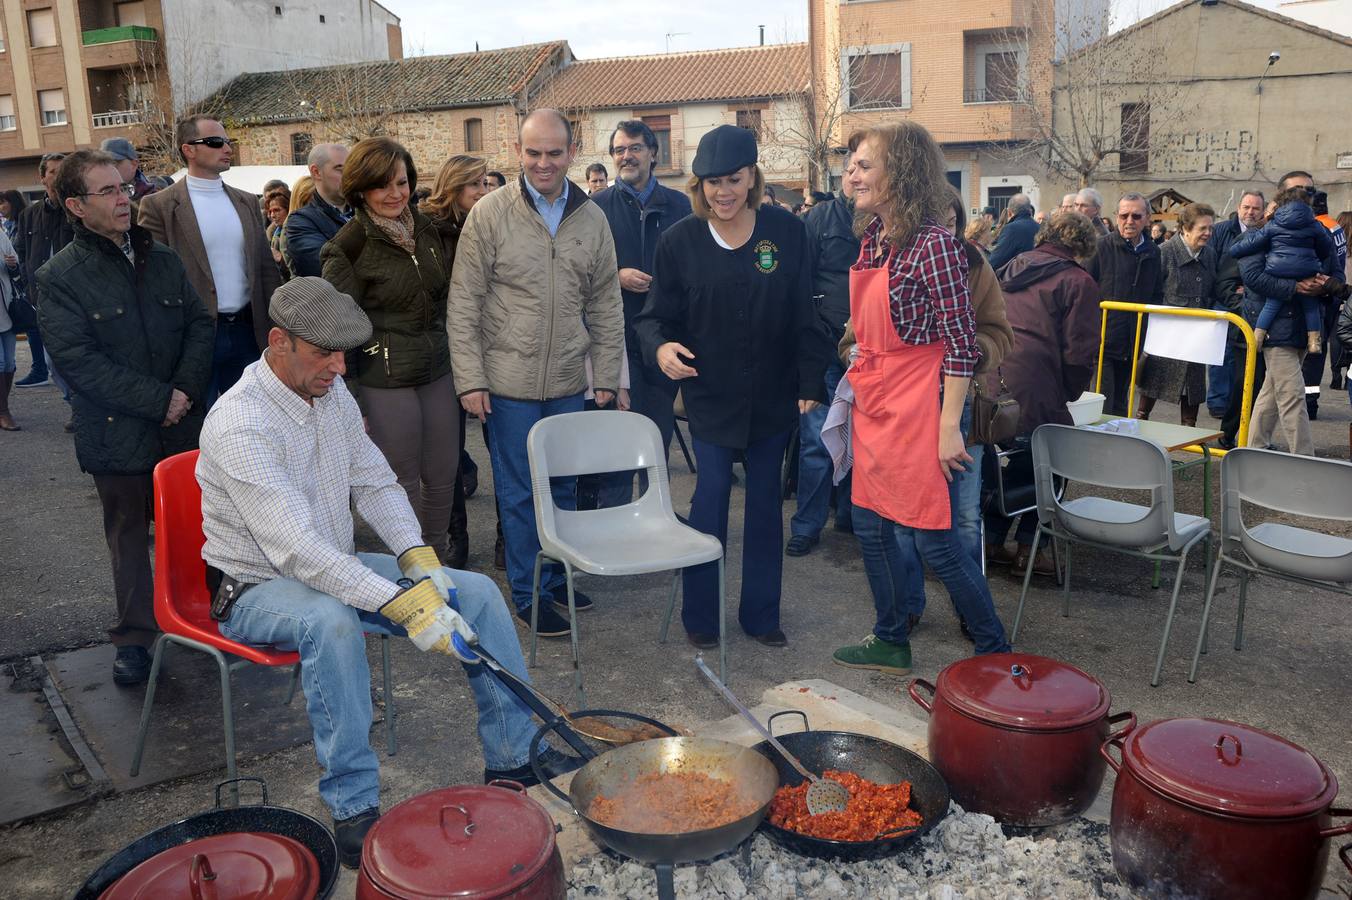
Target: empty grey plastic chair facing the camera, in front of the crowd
{"type": "Point", "coordinates": [635, 539]}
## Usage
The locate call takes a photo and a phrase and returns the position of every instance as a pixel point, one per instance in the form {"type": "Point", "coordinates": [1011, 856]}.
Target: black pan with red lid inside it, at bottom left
{"type": "Point", "coordinates": [259, 818]}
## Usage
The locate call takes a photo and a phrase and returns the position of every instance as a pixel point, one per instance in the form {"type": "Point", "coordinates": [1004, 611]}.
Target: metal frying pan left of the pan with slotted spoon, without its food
{"type": "Point", "coordinates": [606, 774]}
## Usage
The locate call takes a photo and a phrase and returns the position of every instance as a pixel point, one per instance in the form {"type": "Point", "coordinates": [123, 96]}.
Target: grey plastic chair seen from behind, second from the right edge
{"type": "Point", "coordinates": [1123, 463]}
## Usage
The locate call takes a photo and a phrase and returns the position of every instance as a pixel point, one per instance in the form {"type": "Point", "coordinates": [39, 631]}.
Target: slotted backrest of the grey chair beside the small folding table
{"type": "Point", "coordinates": [1120, 461]}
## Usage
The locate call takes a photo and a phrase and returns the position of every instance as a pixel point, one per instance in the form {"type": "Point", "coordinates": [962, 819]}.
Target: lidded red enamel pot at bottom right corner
{"type": "Point", "coordinates": [1209, 809]}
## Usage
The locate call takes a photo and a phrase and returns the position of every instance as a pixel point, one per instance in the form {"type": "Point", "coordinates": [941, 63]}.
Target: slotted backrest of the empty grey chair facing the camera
{"type": "Point", "coordinates": [593, 443]}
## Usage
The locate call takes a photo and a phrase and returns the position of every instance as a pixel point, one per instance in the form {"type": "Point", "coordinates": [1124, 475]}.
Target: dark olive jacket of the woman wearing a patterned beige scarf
{"type": "Point", "coordinates": [405, 297]}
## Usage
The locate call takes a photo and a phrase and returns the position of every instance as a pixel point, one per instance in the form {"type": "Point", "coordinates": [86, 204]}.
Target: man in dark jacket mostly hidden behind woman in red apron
{"type": "Point", "coordinates": [831, 236]}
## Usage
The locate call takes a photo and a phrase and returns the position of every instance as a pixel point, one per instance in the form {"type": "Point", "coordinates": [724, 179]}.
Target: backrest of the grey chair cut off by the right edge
{"type": "Point", "coordinates": [1292, 484]}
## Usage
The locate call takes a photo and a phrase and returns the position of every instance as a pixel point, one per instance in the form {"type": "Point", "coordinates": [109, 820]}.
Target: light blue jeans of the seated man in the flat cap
{"type": "Point", "coordinates": [337, 678]}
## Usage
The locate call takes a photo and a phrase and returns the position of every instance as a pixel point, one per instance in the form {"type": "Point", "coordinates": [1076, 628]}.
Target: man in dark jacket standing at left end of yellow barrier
{"type": "Point", "coordinates": [1127, 267]}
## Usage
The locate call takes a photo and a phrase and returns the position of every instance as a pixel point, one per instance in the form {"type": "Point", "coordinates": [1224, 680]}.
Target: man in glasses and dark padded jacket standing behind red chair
{"type": "Point", "coordinates": [129, 333]}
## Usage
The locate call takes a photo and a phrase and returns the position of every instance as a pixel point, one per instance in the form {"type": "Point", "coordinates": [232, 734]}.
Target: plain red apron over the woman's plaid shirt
{"type": "Point", "coordinates": [894, 428]}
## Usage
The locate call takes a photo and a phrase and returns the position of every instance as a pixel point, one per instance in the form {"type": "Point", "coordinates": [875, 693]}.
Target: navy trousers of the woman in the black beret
{"type": "Point", "coordinates": [763, 534]}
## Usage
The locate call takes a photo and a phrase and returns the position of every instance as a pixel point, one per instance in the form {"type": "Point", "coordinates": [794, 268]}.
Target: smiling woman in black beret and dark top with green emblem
{"type": "Point", "coordinates": [731, 317]}
